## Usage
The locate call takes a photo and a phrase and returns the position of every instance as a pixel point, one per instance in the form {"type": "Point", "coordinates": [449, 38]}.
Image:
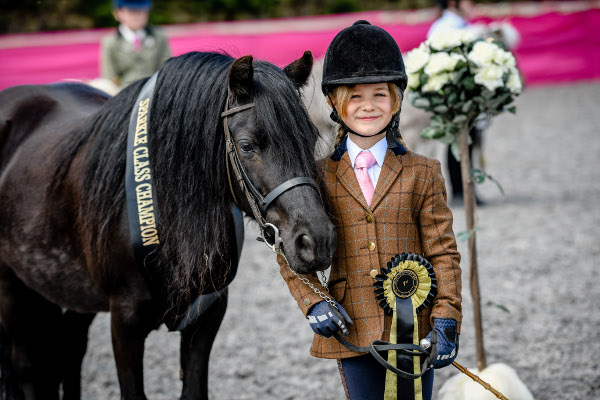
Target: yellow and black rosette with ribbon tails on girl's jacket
{"type": "Point", "coordinates": [404, 288]}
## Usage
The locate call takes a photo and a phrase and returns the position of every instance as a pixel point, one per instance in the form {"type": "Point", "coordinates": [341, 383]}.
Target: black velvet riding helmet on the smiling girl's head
{"type": "Point", "coordinates": [362, 53]}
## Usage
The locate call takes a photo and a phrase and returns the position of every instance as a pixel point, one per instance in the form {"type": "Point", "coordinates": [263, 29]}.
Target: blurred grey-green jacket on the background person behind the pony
{"type": "Point", "coordinates": [120, 63]}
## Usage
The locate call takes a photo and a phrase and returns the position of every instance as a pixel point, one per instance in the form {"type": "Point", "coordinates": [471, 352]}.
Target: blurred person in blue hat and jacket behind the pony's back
{"type": "Point", "coordinates": [136, 50]}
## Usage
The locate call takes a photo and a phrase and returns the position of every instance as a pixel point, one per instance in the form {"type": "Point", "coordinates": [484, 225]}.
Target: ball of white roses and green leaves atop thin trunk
{"type": "Point", "coordinates": [458, 77]}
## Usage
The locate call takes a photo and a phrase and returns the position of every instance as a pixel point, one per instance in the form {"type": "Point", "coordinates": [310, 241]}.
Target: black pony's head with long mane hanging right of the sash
{"type": "Point", "coordinates": [275, 141]}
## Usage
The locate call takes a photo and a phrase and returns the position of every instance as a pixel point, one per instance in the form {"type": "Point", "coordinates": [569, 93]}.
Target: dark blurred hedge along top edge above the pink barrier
{"type": "Point", "coordinates": [46, 15]}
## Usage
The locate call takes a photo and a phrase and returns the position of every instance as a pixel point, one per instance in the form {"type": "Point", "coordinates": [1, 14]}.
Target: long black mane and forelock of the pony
{"type": "Point", "coordinates": [187, 150]}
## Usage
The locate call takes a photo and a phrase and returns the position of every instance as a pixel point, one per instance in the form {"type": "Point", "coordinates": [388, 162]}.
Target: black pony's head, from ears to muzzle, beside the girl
{"type": "Point", "coordinates": [275, 142]}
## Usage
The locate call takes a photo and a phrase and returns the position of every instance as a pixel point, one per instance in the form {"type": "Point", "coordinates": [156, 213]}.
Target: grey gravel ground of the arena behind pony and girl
{"type": "Point", "coordinates": [537, 245]}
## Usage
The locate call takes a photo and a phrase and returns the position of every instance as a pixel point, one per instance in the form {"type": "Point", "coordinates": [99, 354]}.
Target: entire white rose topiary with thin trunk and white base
{"type": "Point", "coordinates": [459, 78]}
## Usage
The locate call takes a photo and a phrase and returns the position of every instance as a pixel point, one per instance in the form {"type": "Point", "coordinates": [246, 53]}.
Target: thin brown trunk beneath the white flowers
{"type": "Point", "coordinates": [470, 210]}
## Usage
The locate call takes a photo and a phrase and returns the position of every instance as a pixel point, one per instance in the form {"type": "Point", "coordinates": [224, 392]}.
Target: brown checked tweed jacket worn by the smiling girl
{"type": "Point", "coordinates": [408, 213]}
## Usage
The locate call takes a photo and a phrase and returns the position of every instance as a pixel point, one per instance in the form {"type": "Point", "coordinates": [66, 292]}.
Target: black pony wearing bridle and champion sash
{"type": "Point", "coordinates": [65, 251]}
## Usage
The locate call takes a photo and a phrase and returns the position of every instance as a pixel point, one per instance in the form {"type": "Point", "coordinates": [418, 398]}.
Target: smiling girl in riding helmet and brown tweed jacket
{"type": "Point", "coordinates": [384, 200]}
